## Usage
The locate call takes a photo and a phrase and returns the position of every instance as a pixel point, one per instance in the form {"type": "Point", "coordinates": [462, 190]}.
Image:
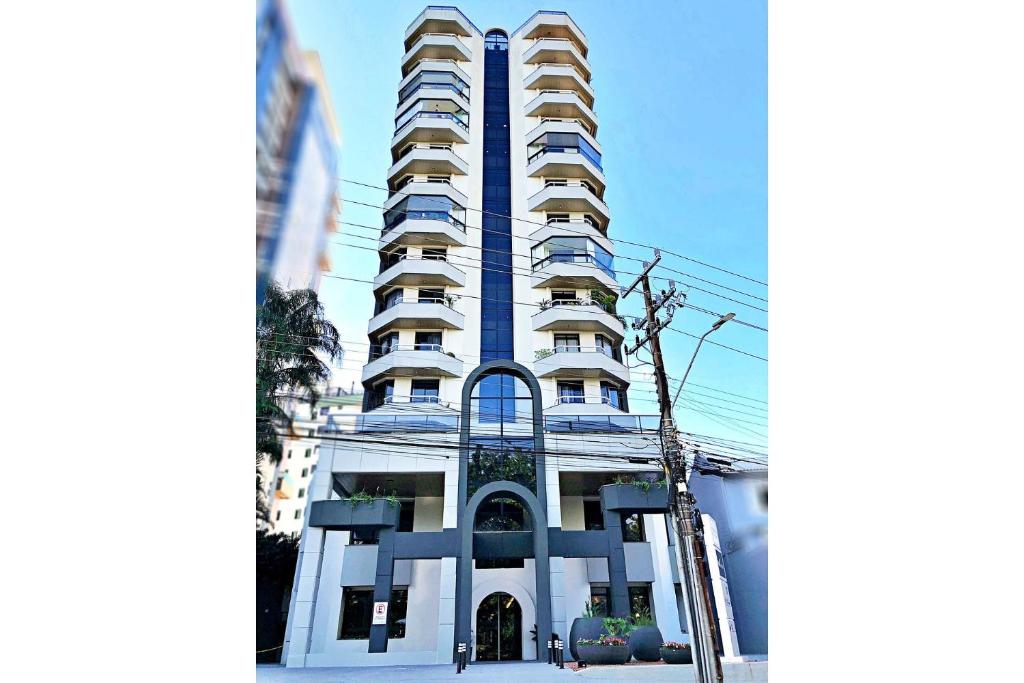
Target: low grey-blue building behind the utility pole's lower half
{"type": "Point", "coordinates": [736, 496]}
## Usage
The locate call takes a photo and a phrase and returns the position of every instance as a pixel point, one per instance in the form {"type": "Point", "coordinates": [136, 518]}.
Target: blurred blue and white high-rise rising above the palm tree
{"type": "Point", "coordinates": [296, 158]}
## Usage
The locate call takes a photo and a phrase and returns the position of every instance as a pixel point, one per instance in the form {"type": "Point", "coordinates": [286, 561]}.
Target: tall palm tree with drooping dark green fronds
{"type": "Point", "coordinates": [291, 330]}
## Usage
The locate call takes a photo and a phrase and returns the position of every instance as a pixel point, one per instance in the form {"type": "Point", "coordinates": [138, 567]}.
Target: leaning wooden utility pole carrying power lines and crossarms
{"type": "Point", "coordinates": [708, 668]}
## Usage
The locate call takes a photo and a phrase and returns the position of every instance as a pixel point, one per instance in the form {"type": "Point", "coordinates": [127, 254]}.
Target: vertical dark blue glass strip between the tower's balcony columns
{"type": "Point", "coordinates": [496, 310]}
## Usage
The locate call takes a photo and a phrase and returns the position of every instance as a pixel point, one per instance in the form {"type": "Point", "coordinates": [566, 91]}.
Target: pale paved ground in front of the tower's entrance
{"type": "Point", "coordinates": [518, 672]}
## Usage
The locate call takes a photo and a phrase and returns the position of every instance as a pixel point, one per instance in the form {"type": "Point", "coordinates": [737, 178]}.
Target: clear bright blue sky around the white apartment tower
{"type": "Point", "coordinates": [682, 100]}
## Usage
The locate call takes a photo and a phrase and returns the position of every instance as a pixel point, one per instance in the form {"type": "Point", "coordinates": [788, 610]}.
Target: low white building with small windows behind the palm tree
{"type": "Point", "coordinates": [288, 483]}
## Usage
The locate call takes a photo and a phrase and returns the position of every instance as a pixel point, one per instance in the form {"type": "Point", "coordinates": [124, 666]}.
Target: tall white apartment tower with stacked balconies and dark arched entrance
{"type": "Point", "coordinates": [495, 397]}
